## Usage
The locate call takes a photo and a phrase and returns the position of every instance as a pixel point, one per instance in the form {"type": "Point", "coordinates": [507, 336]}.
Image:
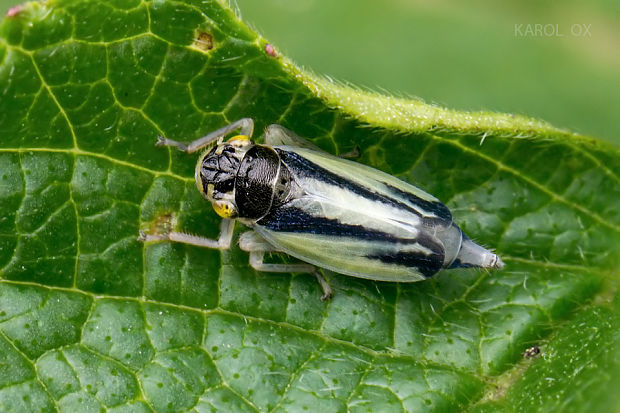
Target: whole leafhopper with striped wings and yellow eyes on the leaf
{"type": "Point", "coordinates": [328, 212]}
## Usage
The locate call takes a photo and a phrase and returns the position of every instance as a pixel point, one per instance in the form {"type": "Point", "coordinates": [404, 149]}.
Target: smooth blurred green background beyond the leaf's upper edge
{"type": "Point", "coordinates": [476, 55]}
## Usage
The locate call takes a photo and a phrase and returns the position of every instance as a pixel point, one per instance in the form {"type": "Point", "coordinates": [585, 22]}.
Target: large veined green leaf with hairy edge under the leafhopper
{"type": "Point", "coordinates": [92, 319]}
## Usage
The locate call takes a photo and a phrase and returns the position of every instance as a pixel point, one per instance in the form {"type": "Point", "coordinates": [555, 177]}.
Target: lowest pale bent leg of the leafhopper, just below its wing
{"type": "Point", "coordinates": [257, 247]}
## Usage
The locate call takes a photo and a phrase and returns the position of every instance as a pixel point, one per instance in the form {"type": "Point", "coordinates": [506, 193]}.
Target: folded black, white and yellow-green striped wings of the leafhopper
{"type": "Point", "coordinates": [359, 221]}
